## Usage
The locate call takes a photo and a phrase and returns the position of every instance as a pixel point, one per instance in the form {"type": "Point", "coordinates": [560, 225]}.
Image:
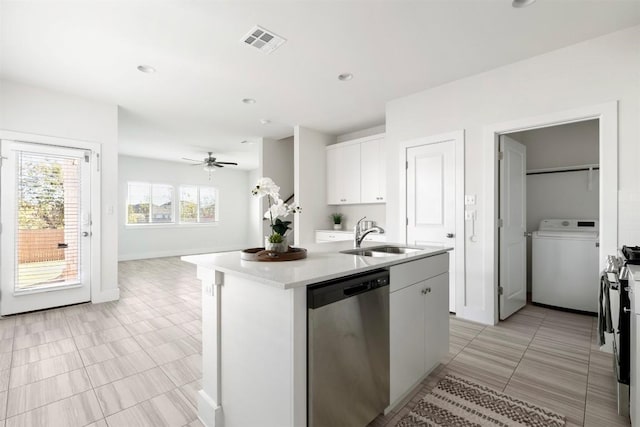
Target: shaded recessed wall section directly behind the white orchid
{"type": "Point", "coordinates": [277, 164]}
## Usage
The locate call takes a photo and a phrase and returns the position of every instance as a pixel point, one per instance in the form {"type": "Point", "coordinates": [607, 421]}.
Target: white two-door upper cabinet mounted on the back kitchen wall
{"type": "Point", "coordinates": [356, 171]}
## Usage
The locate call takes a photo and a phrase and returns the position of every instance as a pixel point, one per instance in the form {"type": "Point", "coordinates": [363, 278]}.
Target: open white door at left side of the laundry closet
{"type": "Point", "coordinates": [513, 215]}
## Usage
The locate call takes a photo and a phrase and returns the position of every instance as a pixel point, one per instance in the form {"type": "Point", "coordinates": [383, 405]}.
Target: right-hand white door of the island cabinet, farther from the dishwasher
{"type": "Point", "coordinates": [436, 309]}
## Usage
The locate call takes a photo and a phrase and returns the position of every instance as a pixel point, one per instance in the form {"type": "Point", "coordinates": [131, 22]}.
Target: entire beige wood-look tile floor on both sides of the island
{"type": "Point", "coordinates": [137, 362]}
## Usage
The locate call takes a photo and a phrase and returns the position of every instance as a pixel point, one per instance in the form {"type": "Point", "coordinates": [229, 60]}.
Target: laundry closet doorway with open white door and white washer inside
{"type": "Point", "coordinates": [548, 180]}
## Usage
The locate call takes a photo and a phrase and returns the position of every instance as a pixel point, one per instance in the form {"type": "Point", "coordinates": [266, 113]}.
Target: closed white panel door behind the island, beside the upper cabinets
{"type": "Point", "coordinates": [431, 204]}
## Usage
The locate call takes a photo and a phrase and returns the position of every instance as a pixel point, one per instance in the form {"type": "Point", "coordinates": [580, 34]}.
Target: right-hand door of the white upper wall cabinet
{"type": "Point", "coordinates": [373, 171]}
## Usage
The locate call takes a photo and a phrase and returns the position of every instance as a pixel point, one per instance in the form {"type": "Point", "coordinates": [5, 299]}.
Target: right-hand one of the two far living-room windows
{"type": "Point", "coordinates": [198, 204]}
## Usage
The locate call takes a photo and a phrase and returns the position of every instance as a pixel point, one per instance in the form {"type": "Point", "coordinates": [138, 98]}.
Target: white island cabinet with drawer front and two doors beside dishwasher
{"type": "Point", "coordinates": [419, 327]}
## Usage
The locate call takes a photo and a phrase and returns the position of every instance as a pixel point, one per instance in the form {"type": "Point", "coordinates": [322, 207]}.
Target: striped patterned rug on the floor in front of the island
{"type": "Point", "coordinates": [456, 402]}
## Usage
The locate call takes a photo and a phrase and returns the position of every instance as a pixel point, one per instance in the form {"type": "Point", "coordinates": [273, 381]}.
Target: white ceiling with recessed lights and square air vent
{"type": "Point", "coordinates": [193, 103]}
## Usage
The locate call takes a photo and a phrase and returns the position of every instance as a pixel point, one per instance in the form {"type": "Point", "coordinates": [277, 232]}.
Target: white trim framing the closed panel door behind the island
{"type": "Point", "coordinates": [458, 138]}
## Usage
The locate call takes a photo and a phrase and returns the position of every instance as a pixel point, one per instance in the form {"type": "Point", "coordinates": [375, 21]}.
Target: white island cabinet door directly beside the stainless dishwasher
{"type": "Point", "coordinates": [406, 315]}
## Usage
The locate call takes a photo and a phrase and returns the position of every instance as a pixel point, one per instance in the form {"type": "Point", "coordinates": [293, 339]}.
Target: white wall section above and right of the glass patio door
{"type": "Point", "coordinates": [31, 110]}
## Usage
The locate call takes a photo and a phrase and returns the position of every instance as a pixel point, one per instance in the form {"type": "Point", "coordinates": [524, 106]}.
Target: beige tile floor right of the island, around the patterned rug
{"type": "Point", "coordinates": [546, 357]}
